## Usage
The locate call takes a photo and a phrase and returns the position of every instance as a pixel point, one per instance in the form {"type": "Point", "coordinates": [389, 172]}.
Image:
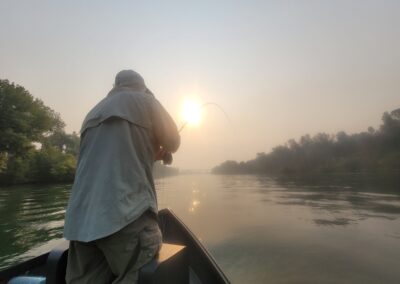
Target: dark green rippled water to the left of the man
{"type": "Point", "coordinates": [29, 216]}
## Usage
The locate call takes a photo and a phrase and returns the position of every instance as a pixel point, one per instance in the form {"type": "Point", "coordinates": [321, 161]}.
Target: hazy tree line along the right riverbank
{"type": "Point", "coordinates": [373, 151]}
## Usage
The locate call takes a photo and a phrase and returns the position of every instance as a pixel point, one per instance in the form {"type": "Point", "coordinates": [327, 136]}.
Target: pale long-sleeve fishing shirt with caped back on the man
{"type": "Point", "coordinates": [113, 183]}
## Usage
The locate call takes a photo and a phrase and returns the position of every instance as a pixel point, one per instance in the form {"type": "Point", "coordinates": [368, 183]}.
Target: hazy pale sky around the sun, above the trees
{"type": "Point", "coordinates": [280, 69]}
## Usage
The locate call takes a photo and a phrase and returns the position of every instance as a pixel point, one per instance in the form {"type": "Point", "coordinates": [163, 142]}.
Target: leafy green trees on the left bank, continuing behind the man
{"type": "Point", "coordinates": [34, 147]}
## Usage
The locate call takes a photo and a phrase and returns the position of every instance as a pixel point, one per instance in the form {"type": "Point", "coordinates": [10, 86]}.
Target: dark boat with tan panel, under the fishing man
{"type": "Point", "coordinates": [182, 259]}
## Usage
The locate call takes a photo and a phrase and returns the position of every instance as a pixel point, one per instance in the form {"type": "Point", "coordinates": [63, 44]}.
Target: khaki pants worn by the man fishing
{"type": "Point", "coordinates": [116, 258]}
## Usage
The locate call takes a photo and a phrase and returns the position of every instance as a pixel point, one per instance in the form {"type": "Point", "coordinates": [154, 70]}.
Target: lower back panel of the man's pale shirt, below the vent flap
{"type": "Point", "coordinates": [113, 181]}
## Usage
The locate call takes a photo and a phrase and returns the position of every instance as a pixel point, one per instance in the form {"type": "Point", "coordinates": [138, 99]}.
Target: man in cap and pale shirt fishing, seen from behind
{"type": "Point", "coordinates": [111, 219]}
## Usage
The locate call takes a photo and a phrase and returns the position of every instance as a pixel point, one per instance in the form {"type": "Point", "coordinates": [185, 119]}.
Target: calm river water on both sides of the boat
{"type": "Point", "coordinates": [259, 230]}
